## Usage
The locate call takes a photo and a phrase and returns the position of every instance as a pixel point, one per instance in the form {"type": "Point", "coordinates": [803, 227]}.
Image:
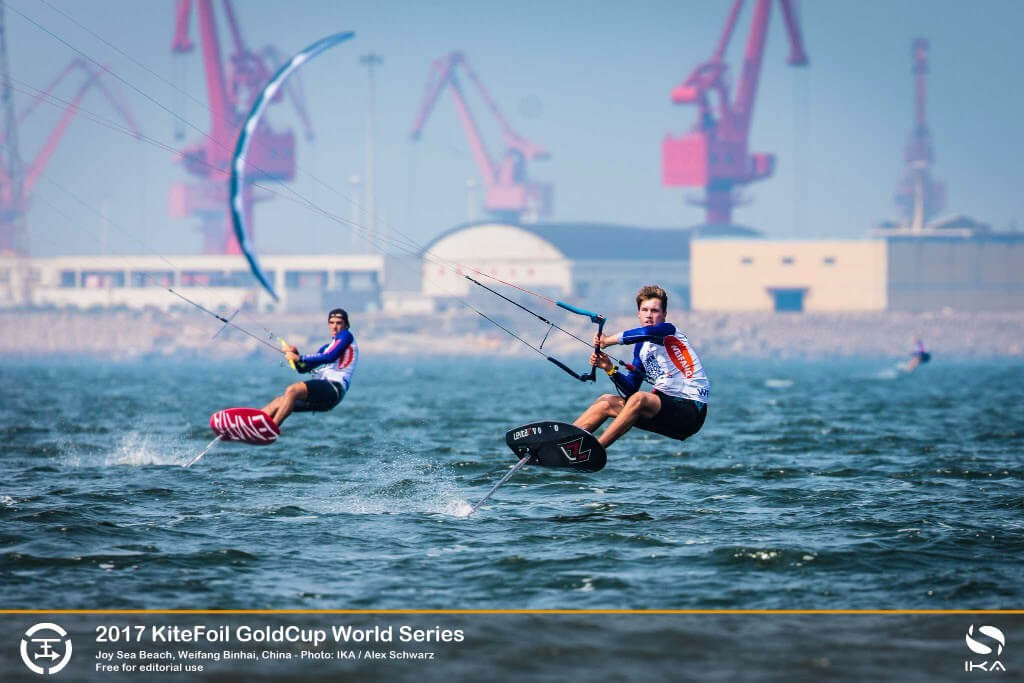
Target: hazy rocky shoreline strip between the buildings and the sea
{"type": "Point", "coordinates": [179, 334]}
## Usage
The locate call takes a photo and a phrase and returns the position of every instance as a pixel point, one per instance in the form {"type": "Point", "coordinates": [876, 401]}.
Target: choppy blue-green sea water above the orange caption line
{"type": "Point", "coordinates": [813, 486]}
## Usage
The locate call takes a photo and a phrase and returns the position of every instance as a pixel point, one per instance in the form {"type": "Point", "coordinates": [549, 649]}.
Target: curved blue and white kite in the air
{"type": "Point", "coordinates": [242, 148]}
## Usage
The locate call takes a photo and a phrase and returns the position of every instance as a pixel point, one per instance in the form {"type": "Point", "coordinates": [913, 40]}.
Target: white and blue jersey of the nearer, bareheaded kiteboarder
{"type": "Point", "coordinates": [667, 360]}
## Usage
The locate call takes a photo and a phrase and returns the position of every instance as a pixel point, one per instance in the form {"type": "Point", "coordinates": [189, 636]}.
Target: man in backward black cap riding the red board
{"type": "Point", "coordinates": [332, 367]}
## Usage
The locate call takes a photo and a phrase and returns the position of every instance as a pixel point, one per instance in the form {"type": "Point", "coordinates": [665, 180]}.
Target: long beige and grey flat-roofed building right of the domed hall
{"type": "Point", "coordinates": [900, 272]}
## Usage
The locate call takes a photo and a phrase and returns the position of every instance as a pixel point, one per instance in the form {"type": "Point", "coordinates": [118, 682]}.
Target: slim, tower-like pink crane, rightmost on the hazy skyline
{"type": "Point", "coordinates": [920, 197]}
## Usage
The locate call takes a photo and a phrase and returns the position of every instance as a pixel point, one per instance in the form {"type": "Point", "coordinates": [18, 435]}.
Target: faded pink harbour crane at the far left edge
{"type": "Point", "coordinates": [18, 179]}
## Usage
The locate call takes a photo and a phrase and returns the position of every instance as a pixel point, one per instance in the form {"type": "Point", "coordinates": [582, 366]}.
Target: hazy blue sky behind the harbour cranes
{"type": "Point", "coordinates": [590, 81]}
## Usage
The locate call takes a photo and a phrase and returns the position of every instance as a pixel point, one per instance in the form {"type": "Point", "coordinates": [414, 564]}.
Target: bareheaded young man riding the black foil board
{"type": "Point", "coordinates": [678, 404]}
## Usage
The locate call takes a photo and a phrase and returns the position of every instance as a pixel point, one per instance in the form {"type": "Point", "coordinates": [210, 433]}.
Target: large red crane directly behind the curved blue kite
{"type": "Point", "coordinates": [232, 89]}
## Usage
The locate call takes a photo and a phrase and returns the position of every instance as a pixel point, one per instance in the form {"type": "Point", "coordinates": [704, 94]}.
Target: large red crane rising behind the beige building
{"type": "Point", "coordinates": [715, 154]}
